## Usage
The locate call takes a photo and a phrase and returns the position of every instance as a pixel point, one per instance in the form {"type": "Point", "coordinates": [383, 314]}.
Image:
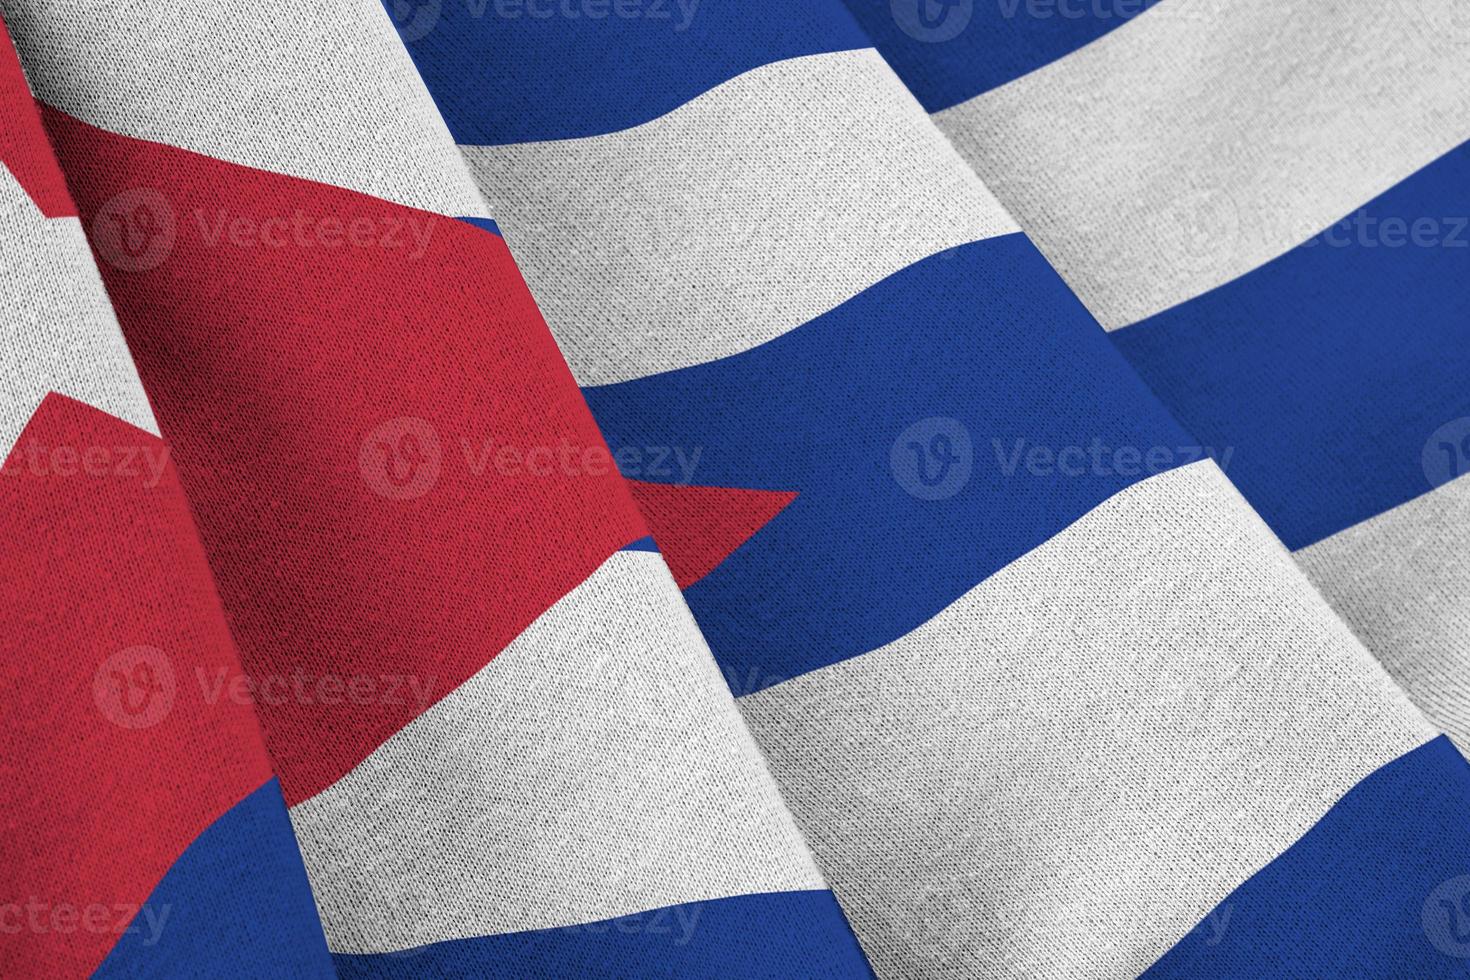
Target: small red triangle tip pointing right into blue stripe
{"type": "Point", "coordinates": [699, 527]}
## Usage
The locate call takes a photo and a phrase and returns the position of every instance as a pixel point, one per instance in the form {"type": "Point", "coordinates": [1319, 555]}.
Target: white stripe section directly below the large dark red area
{"type": "Point", "coordinates": [595, 769]}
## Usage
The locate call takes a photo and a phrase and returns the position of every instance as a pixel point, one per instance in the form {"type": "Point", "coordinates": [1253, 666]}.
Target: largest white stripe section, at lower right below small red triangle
{"type": "Point", "coordinates": [1072, 765]}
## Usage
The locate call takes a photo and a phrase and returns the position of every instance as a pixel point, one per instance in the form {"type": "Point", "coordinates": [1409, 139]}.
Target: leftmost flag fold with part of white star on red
{"type": "Point", "coordinates": [145, 832]}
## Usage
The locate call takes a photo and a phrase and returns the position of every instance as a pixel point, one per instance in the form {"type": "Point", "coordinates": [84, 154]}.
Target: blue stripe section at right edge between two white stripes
{"type": "Point", "coordinates": [1331, 368]}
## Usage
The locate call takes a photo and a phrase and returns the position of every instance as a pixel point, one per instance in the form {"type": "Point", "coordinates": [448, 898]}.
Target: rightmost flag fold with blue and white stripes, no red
{"type": "Point", "coordinates": [1269, 209]}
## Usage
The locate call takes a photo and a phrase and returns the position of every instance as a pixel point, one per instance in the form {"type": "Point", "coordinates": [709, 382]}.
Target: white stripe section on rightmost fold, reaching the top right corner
{"type": "Point", "coordinates": [1208, 137]}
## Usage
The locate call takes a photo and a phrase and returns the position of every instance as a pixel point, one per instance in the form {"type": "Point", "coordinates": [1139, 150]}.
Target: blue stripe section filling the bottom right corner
{"type": "Point", "coordinates": [1378, 888]}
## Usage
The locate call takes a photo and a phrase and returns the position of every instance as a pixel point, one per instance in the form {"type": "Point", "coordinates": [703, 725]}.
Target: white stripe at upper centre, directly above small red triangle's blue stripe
{"type": "Point", "coordinates": [739, 217]}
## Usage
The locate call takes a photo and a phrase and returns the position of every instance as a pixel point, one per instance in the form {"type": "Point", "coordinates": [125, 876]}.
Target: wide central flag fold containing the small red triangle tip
{"type": "Point", "coordinates": [1019, 655]}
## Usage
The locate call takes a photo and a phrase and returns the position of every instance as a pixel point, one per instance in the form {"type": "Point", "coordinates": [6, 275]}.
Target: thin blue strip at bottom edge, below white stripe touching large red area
{"type": "Point", "coordinates": [756, 937]}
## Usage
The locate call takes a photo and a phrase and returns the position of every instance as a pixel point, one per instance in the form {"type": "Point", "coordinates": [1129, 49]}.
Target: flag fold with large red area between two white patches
{"type": "Point", "coordinates": [503, 743]}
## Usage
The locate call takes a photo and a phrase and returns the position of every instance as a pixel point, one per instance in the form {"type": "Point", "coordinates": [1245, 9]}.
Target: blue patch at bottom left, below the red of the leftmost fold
{"type": "Point", "coordinates": [236, 904]}
